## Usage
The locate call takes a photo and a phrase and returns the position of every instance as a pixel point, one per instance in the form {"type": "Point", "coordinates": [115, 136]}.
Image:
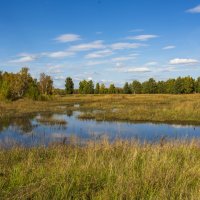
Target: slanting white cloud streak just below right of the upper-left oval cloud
{"type": "Point", "coordinates": [87, 46]}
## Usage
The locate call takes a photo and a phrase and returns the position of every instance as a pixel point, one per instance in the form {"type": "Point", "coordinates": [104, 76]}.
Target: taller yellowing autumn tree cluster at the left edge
{"type": "Point", "coordinates": [18, 85]}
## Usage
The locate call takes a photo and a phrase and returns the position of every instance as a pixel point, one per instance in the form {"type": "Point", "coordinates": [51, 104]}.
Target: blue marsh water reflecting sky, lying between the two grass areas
{"type": "Point", "coordinates": [46, 128]}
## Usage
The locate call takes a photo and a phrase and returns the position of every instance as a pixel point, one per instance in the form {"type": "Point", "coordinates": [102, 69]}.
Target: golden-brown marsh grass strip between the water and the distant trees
{"type": "Point", "coordinates": [157, 108]}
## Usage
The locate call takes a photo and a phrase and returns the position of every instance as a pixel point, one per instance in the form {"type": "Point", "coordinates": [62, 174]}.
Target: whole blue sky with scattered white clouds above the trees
{"type": "Point", "coordinates": [109, 41]}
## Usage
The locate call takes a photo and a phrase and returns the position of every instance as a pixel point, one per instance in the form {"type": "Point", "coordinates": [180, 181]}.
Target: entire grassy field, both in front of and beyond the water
{"type": "Point", "coordinates": [103, 170]}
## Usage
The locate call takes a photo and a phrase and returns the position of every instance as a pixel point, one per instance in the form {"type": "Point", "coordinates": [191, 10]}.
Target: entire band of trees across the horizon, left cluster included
{"type": "Point", "coordinates": [18, 85]}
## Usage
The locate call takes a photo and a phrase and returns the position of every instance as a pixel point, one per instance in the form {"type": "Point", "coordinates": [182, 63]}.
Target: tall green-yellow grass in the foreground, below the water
{"type": "Point", "coordinates": [123, 170]}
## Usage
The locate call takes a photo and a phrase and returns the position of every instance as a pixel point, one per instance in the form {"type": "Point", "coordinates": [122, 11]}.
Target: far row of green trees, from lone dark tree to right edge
{"type": "Point", "coordinates": [180, 85]}
